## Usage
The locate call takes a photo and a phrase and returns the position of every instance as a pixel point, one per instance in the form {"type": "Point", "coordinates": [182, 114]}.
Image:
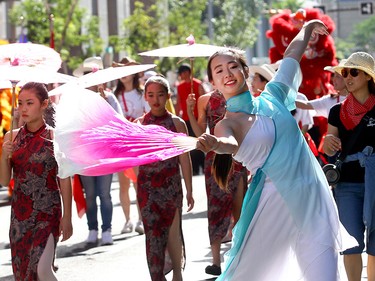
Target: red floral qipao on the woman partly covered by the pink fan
{"type": "Point", "coordinates": [159, 195]}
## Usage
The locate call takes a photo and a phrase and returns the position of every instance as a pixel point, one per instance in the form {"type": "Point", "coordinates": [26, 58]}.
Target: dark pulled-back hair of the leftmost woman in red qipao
{"type": "Point", "coordinates": [41, 92]}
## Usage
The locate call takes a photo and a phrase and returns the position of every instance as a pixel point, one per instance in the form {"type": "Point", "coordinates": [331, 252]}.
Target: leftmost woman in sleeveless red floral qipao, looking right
{"type": "Point", "coordinates": [37, 218]}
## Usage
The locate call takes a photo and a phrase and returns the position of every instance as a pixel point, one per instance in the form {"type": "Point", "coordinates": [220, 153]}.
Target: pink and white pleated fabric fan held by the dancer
{"type": "Point", "coordinates": [92, 139]}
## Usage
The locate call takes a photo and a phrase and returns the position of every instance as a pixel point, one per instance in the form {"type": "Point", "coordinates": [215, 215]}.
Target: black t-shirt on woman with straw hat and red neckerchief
{"type": "Point", "coordinates": [352, 171]}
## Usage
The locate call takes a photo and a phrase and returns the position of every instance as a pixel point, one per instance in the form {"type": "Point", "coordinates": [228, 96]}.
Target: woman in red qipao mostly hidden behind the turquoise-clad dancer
{"type": "Point", "coordinates": [223, 206]}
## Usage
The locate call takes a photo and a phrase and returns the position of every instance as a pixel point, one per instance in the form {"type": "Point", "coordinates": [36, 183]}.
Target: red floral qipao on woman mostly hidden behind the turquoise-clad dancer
{"type": "Point", "coordinates": [219, 202]}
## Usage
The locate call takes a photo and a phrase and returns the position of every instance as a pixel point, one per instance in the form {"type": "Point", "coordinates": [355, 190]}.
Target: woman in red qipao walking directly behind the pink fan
{"type": "Point", "coordinates": [159, 192]}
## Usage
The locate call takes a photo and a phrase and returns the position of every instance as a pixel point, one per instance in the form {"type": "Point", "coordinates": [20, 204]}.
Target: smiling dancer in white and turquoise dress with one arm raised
{"type": "Point", "coordinates": [289, 227]}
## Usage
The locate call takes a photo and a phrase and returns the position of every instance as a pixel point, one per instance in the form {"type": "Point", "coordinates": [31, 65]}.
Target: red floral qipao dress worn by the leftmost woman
{"type": "Point", "coordinates": [36, 205]}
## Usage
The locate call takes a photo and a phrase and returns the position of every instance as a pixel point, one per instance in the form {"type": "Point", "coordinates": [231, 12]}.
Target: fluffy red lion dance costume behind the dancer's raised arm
{"type": "Point", "coordinates": [320, 52]}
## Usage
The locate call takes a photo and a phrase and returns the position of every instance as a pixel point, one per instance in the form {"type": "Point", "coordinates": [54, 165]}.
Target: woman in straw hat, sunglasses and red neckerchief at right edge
{"type": "Point", "coordinates": [351, 131]}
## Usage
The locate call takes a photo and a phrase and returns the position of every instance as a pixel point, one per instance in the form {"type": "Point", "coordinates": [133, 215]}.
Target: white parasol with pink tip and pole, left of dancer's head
{"type": "Point", "coordinates": [190, 50]}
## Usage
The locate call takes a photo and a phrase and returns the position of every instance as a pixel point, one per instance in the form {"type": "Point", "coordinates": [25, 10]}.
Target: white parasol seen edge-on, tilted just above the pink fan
{"type": "Point", "coordinates": [102, 76]}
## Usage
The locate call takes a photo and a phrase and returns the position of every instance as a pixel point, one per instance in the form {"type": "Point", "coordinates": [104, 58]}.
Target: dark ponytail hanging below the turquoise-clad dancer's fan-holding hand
{"type": "Point", "coordinates": [221, 167]}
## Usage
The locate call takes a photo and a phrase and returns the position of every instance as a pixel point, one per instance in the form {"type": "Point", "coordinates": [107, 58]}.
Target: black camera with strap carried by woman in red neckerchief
{"type": "Point", "coordinates": [332, 171]}
